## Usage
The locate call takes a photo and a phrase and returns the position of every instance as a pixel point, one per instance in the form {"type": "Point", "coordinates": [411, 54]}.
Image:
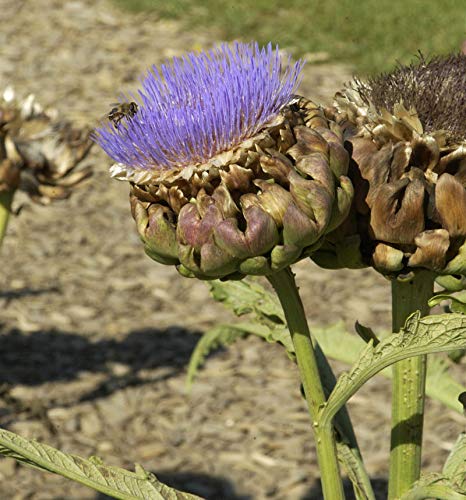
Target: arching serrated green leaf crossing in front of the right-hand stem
{"type": "Point", "coordinates": [444, 332]}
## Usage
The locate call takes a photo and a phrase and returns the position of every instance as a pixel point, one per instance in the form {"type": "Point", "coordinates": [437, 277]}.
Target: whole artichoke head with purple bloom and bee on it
{"type": "Point", "coordinates": [230, 173]}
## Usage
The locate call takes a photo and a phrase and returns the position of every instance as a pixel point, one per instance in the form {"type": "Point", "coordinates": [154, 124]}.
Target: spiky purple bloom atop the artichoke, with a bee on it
{"type": "Point", "coordinates": [200, 105]}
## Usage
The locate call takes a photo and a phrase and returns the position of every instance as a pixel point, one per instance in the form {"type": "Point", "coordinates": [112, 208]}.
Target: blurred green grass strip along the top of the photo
{"type": "Point", "coordinates": [369, 35]}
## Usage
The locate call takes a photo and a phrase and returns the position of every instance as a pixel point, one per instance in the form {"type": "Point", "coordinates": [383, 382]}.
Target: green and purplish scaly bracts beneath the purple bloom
{"type": "Point", "coordinates": [255, 209]}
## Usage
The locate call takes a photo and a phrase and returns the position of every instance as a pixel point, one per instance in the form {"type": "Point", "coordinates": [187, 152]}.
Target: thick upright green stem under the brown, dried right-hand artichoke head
{"type": "Point", "coordinates": [408, 393]}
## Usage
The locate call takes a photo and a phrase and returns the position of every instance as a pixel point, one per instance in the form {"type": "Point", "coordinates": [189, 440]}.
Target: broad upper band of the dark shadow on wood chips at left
{"type": "Point", "coordinates": [39, 357]}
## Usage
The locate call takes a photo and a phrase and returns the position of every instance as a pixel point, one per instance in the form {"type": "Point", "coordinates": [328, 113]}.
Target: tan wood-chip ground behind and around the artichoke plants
{"type": "Point", "coordinates": [96, 337]}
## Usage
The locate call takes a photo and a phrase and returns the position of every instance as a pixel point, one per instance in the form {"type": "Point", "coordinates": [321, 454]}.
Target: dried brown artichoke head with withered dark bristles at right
{"type": "Point", "coordinates": [406, 132]}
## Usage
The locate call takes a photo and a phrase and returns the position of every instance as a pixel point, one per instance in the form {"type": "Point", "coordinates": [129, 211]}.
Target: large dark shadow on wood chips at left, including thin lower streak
{"type": "Point", "coordinates": [57, 356]}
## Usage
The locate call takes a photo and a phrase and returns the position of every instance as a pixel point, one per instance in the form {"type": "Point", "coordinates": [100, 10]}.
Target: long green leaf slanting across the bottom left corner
{"type": "Point", "coordinates": [112, 481]}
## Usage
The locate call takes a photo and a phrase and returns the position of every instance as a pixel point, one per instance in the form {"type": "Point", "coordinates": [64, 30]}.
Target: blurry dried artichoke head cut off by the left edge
{"type": "Point", "coordinates": [40, 153]}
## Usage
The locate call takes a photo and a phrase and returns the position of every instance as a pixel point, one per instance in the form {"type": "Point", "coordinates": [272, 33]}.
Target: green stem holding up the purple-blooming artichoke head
{"type": "Point", "coordinates": [285, 286]}
